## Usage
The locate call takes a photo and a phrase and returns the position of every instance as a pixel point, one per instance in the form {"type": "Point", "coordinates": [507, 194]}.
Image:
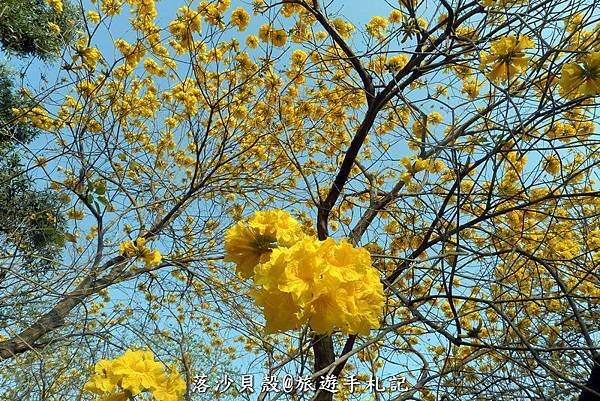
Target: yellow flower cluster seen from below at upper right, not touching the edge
{"type": "Point", "coordinates": [506, 57]}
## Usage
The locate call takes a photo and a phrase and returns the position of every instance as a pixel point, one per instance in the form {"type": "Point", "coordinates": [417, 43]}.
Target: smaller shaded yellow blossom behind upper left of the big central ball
{"type": "Point", "coordinates": [250, 242]}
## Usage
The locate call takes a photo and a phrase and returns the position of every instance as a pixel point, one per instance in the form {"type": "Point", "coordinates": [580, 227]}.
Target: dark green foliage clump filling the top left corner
{"type": "Point", "coordinates": [24, 28]}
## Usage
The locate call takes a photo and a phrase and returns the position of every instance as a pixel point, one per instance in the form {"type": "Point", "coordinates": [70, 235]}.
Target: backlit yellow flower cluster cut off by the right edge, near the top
{"type": "Point", "coordinates": [581, 79]}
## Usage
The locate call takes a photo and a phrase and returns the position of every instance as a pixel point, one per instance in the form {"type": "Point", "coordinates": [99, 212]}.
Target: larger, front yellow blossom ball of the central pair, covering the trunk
{"type": "Point", "coordinates": [327, 284]}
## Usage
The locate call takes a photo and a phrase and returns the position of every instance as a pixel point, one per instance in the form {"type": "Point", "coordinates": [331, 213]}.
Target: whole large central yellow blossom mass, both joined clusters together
{"type": "Point", "coordinates": [298, 279]}
